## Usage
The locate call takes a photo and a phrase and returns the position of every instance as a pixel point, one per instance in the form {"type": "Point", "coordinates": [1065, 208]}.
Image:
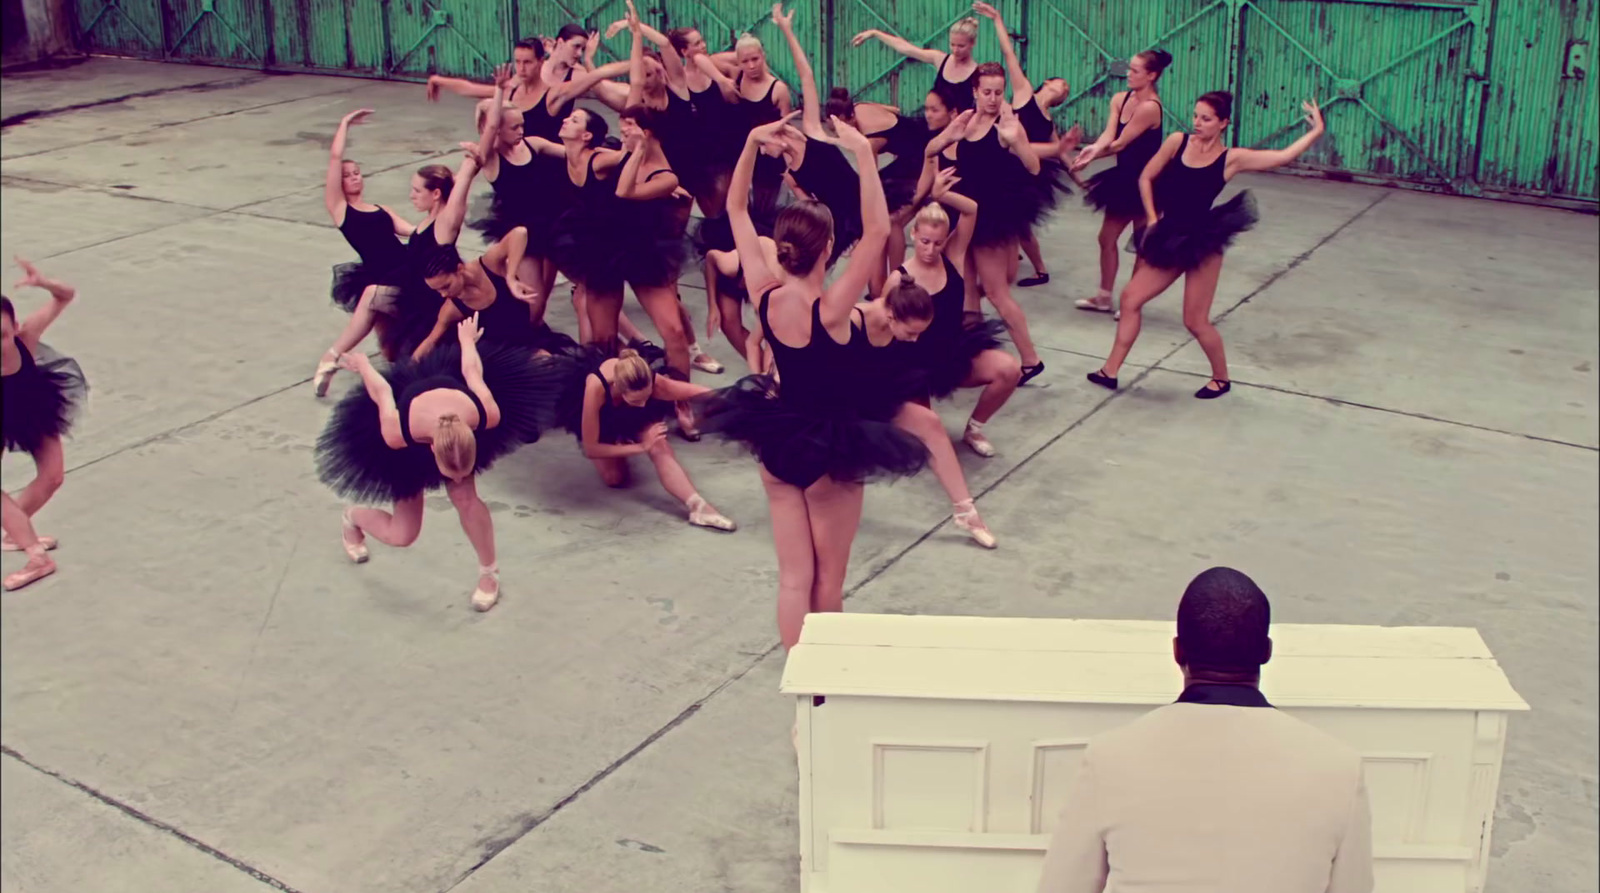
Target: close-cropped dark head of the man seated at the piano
{"type": "Point", "coordinates": [1223, 623]}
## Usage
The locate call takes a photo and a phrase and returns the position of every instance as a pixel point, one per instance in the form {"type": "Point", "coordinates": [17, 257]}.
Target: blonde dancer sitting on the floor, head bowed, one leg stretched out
{"type": "Point", "coordinates": [617, 410]}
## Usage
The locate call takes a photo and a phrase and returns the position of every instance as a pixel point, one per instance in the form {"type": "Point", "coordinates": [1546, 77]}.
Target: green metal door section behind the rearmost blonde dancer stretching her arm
{"type": "Point", "coordinates": [878, 74]}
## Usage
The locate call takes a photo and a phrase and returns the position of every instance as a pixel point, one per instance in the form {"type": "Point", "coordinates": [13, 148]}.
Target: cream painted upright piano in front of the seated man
{"type": "Point", "coordinates": [937, 753]}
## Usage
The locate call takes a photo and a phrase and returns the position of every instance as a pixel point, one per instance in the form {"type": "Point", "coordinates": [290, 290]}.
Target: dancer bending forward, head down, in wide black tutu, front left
{"type": "Point", "coordinates": [426, 425]}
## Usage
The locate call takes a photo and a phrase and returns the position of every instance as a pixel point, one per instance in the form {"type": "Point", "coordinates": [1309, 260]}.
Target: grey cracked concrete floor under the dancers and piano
{"type": "Point", "coordinates": [209, 699]}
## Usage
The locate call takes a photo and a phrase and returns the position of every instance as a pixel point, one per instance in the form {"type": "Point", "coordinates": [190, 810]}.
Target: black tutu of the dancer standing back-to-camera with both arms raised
{"type": "Point", "coordinates": [799, 447]}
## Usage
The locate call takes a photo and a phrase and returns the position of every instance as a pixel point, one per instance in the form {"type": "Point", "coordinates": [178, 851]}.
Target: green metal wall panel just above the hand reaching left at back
{"type": "Point", "coordinates": [452, 38]}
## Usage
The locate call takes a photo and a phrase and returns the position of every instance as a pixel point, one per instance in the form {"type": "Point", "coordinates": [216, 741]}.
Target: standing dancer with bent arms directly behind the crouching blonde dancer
{"type": "Point", "coordinates": [999, 170]}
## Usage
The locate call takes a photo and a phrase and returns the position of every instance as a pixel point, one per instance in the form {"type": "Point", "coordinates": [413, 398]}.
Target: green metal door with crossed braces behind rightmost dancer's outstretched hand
{"type": "Point", "coordinates": [1399, 86]}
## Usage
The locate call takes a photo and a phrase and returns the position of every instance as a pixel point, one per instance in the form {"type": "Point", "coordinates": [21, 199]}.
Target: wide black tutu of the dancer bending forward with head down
{"type": "Point", "coordinates": [354, 460]}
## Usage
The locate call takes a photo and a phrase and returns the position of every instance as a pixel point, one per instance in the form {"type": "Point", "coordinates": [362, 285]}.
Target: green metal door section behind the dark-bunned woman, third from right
{"type": "Point", "coordinates": [1081, 39]}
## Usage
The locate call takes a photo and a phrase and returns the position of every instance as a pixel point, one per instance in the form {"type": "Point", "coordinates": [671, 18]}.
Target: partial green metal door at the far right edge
{"type": "Point", "coordinates": [1540, 119]}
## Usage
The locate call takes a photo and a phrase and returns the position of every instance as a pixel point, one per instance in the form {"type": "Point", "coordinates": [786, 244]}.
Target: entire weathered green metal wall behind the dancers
{"type": "Point", "coordinates": [1470, 97]}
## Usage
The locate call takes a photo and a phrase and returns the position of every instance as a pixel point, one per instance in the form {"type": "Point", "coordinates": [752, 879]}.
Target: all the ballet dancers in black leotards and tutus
{"type": "Point", "coordinates": [865, 238]}
